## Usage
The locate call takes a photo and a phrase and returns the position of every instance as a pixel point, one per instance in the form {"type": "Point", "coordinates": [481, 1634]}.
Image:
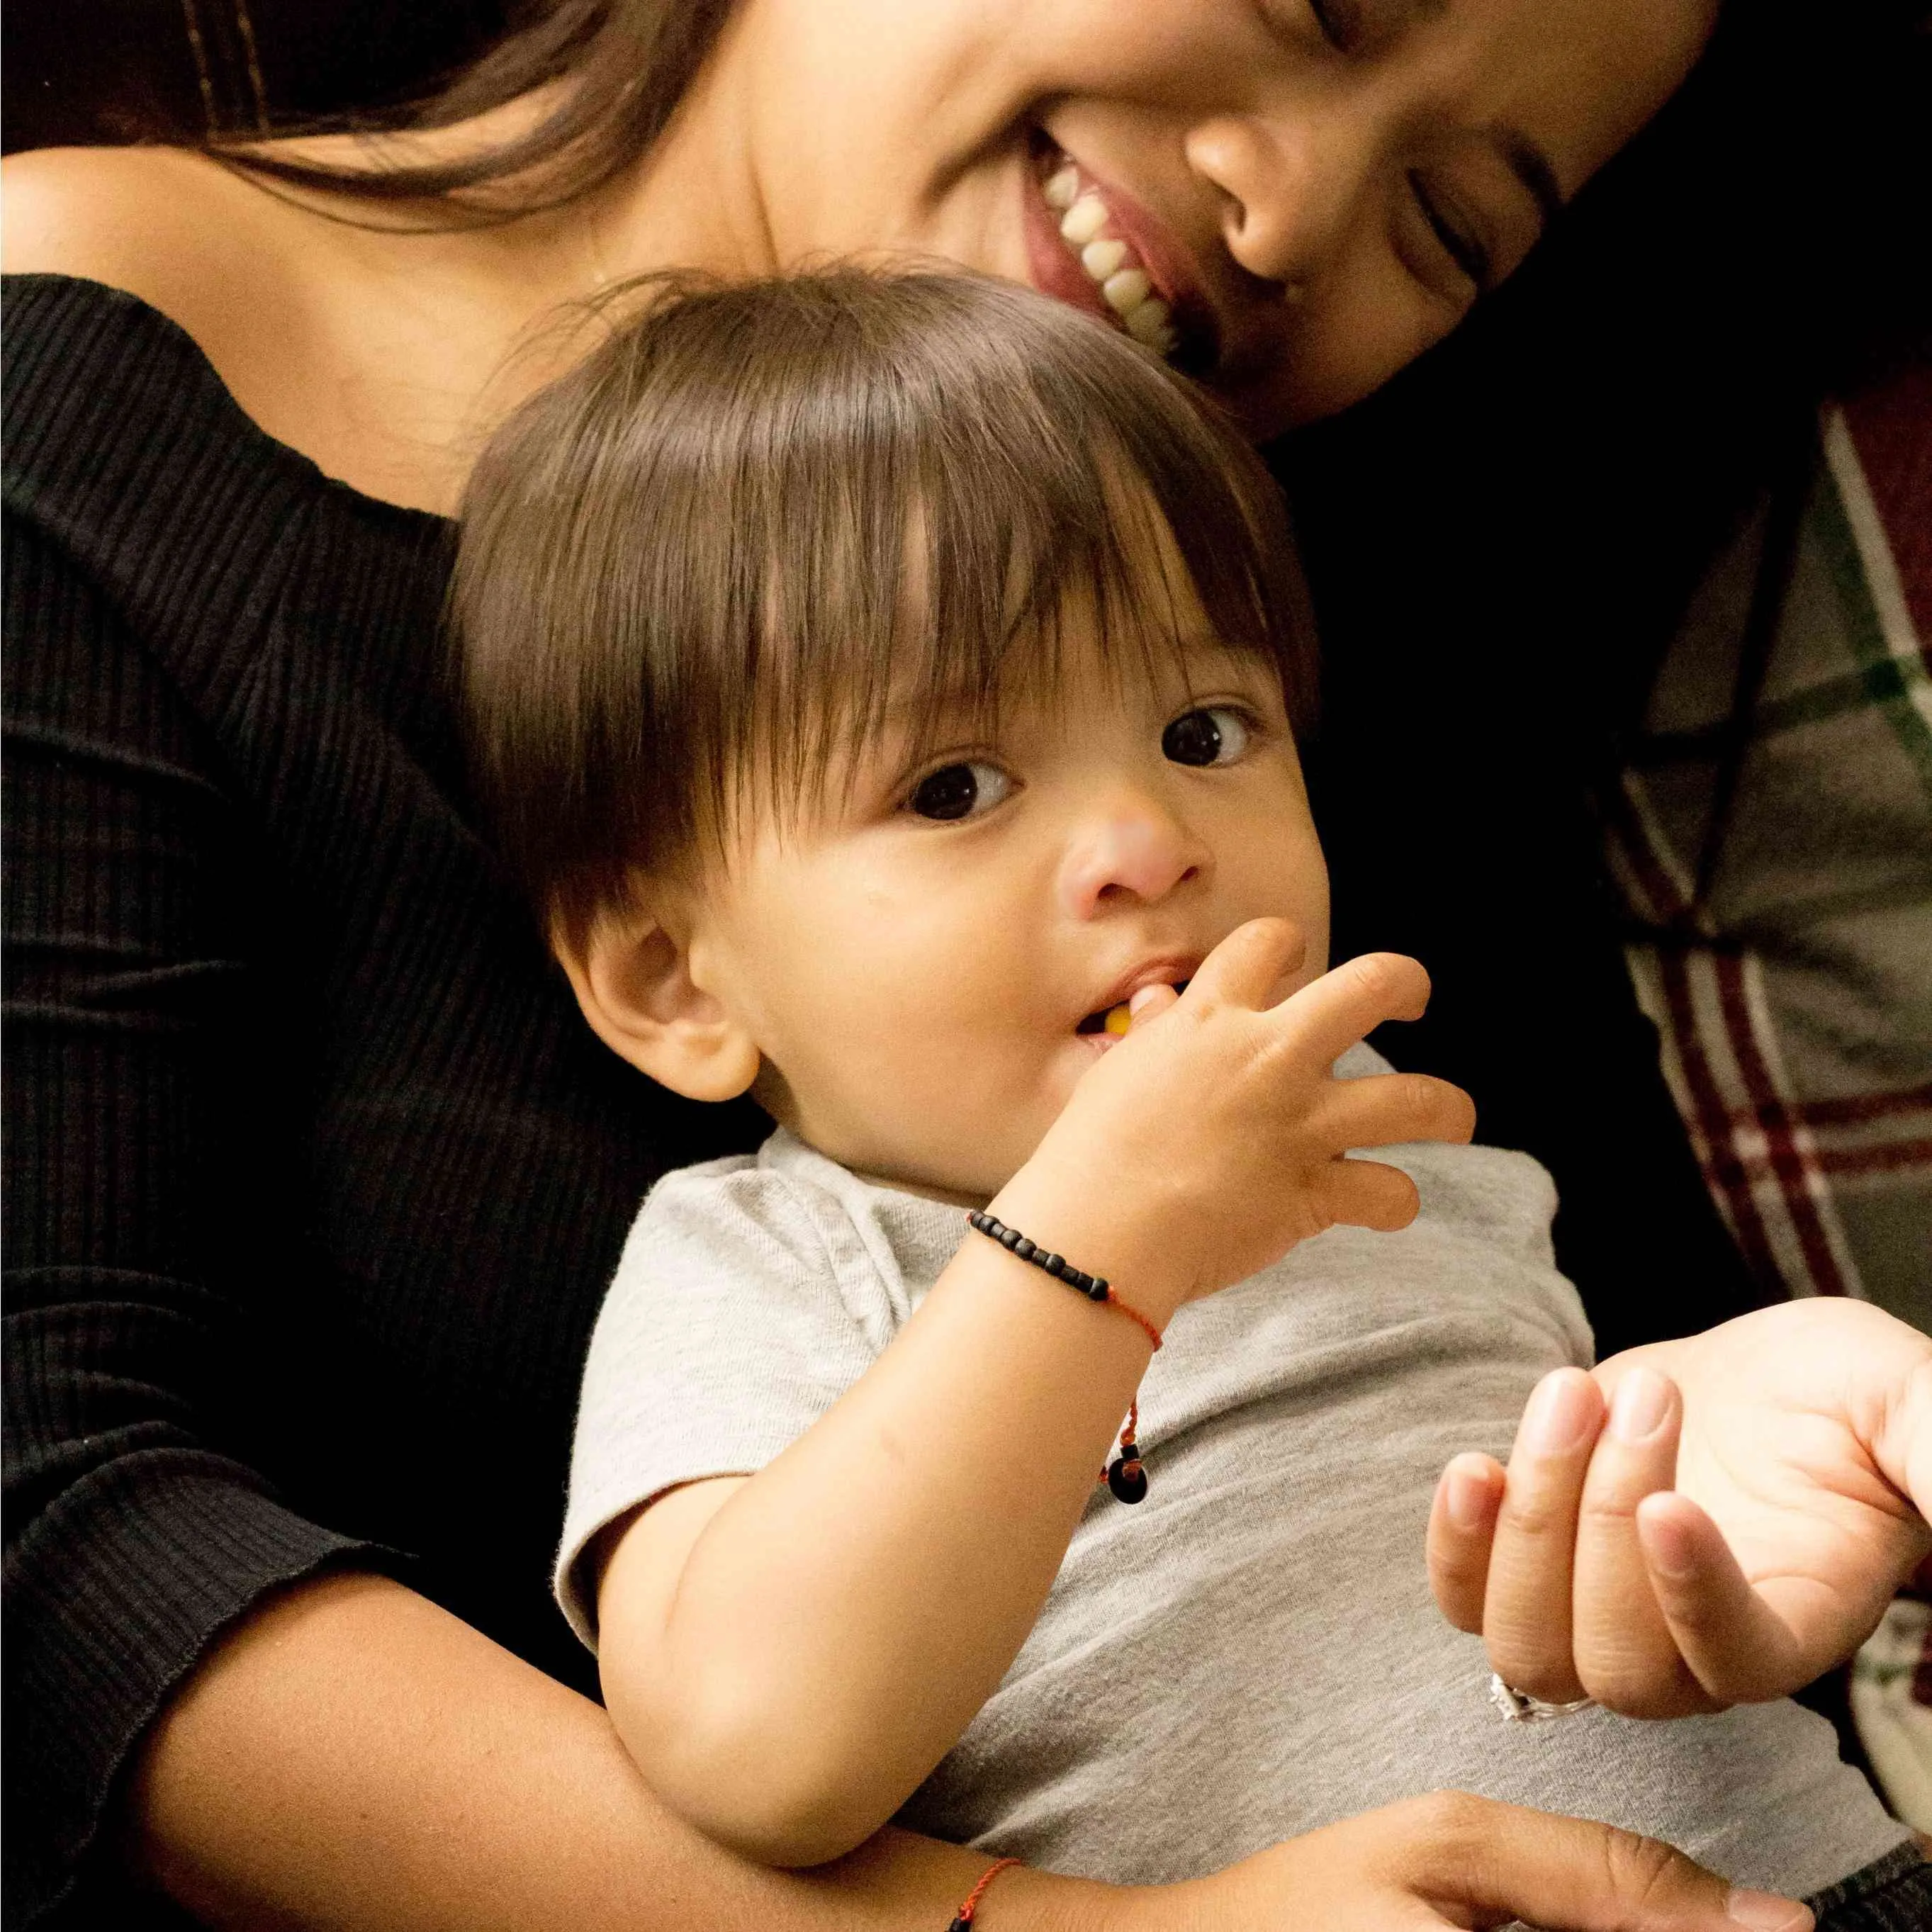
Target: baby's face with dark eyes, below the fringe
{"type": "Point", "coordinates": [924, 963]}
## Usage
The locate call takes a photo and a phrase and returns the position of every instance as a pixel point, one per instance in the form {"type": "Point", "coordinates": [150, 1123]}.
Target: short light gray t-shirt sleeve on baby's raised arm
{"type": "Point", "coordinates": [739, 1315]}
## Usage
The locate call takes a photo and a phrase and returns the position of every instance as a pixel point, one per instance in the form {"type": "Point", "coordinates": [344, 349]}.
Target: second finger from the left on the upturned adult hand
{"type": "Point", "coordinates": [1527, 1606]}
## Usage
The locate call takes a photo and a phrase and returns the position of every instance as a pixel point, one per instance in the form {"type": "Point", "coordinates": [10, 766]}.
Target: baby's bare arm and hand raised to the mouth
{"type": "Point", "coordinates": [789, 1655]}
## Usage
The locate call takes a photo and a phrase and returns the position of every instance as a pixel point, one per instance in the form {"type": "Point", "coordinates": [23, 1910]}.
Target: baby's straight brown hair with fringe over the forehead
{"type": "Point", "coordinates": [714, 559]}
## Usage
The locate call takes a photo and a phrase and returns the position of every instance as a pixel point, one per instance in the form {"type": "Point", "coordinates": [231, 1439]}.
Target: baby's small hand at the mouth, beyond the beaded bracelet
{"type": "Point", "coordinates": [1214, 1137]}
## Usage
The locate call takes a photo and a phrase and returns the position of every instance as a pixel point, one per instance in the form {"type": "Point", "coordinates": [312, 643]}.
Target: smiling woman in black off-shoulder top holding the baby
{"type": "Point", "coordinates": [314, 1181]}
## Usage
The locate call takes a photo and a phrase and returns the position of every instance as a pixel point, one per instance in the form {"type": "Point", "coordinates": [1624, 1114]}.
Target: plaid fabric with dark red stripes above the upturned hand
{"type": "Point", "coordinates": [1773, 843]}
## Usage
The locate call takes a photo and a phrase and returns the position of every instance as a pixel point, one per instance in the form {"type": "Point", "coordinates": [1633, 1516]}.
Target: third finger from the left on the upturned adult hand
{"type": "Point", "coordinates": [1620, 1637]}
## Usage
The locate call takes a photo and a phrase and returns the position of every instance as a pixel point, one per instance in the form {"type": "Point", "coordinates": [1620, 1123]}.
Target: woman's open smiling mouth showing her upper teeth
{"type": "Point", "coordinates": [1094, 248]}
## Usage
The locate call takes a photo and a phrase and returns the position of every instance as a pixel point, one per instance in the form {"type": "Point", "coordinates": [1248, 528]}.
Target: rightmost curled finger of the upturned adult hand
{"type": "Point", "coordinates": [1736, 1647]}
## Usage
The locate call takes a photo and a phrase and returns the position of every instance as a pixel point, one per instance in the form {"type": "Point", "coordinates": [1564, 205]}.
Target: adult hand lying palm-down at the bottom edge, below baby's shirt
{"type": "Point", "coordinates": [1462, 1861]}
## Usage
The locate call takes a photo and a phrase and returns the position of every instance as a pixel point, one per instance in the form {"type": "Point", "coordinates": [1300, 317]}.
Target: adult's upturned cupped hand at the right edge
{"type": "Point", "coordinates": [1734, 1531]}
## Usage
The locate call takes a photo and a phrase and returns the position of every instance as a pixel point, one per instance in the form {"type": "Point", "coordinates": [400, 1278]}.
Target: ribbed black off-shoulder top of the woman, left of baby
{"type": "Point", "coordinates": [314, 1178]}
